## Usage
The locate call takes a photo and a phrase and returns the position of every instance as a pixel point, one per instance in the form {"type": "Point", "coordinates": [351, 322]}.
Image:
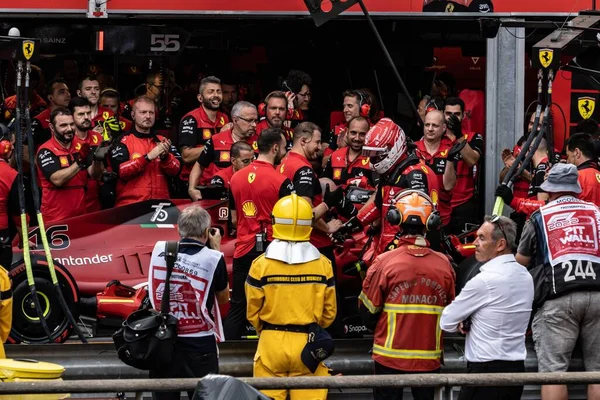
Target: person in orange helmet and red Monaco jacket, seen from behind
{"type": "Point", "coordinates": [403, 296]}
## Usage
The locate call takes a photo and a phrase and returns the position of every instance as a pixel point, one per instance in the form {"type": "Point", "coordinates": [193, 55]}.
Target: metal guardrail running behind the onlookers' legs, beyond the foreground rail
{"type": "Point", "coordinates": [351, 357]}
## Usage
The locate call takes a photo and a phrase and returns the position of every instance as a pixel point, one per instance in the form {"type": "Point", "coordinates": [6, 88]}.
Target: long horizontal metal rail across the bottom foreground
{"type": "Point", "coordinates": [443, 382]}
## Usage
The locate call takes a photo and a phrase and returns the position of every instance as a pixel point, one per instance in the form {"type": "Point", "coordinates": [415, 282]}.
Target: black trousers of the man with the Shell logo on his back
{"type": "Point", "coordinates": [236, 321]}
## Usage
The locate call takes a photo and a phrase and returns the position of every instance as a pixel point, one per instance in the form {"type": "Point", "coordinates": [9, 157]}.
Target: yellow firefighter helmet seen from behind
{"type": "Point", "coordinates": [292, 219]}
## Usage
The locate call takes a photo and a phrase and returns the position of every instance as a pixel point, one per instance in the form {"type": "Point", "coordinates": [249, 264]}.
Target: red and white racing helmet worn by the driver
{"type": "Point", "coordinates": [385, 144]}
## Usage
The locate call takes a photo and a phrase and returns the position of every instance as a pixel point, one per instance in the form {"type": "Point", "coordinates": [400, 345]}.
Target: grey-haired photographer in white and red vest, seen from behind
{"type": "Point", "coordinates": [198, 284]}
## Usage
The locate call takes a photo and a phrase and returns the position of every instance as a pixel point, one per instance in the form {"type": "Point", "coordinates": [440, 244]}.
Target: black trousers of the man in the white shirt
{"type": "Point", "coordinates": [493, 392]}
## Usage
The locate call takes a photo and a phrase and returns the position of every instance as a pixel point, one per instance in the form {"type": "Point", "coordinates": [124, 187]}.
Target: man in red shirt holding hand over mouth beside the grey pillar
{"type": "Point", "coordinates": [464, 201]}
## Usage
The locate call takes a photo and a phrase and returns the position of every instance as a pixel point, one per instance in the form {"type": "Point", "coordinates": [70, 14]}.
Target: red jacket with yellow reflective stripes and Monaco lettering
{"type": "Point", "coordinates": [409, 287]}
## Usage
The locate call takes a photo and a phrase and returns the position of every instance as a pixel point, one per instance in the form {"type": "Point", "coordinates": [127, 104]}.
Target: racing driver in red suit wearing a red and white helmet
{"type": "Point", "coordinates": [386, 147]}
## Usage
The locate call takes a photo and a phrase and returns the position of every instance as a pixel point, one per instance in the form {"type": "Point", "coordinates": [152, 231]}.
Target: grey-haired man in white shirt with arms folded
{"type": "Point", "coordinates": [493, 310]}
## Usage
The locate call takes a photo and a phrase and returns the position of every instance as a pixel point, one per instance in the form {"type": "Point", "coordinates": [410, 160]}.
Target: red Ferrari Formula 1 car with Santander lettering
{"type": "Point", "coordinates": [102, 260]}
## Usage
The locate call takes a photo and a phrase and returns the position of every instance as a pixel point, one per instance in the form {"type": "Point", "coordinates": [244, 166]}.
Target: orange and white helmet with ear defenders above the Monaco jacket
{"type": "Point", "coordinates": [416, 209]}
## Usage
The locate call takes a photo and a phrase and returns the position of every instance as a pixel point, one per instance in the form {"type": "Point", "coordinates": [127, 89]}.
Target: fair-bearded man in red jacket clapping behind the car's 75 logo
{"type": "Point", "coordinates": [143, 160]}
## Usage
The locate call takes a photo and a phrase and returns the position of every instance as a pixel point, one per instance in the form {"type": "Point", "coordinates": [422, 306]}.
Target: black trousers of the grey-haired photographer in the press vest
{"type": "Point", "coordinates": [185, 364]}
